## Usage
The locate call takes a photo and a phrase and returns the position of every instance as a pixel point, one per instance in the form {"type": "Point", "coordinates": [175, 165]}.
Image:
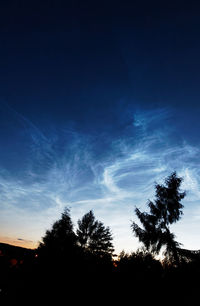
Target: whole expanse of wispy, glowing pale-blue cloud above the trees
{"type": "Point", "coordinates": [71, 174]}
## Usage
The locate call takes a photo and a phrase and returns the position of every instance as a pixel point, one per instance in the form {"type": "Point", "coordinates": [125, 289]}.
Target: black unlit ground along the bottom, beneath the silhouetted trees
{"type": "Point", "coordinates": [24, 280]}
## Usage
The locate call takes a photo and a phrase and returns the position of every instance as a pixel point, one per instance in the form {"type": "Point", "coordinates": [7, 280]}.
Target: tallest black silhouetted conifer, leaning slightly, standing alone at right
{"type": "Point", "coordinates": [165, 210]}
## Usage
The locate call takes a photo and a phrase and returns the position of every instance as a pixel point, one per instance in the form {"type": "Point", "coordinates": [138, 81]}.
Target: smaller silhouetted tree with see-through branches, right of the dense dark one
{"type": "Point", "coordinates": [93, 236]}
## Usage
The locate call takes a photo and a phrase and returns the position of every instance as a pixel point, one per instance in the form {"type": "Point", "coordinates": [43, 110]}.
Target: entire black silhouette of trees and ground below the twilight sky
{"type": "Point", "coordinates": [79, 264]}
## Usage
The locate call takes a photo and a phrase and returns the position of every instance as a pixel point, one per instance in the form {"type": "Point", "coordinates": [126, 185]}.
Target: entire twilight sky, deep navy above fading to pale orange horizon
{"type": "Point", "coordinates": [98, 102]}
